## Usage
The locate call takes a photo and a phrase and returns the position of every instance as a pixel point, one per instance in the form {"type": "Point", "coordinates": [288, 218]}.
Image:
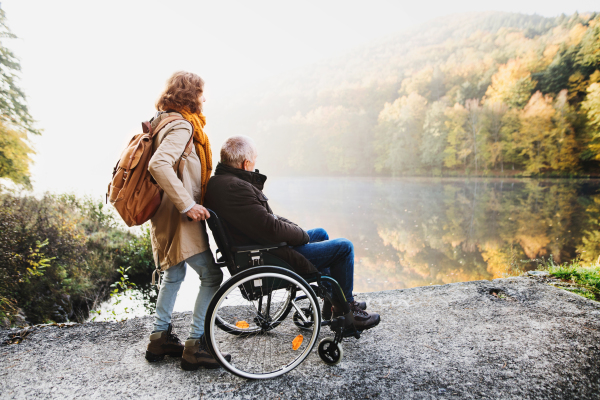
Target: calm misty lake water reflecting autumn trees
{"type": "Point", "coordinates": [411, 232]}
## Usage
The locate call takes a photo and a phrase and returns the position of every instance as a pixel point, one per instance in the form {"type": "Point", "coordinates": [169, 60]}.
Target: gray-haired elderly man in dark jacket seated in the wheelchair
{"type": "Point", "coordinates": [235, 194]}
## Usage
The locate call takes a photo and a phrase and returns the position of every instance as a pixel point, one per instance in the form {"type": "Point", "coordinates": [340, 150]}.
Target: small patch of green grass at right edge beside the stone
{"type": "Point", "coordinates": [584, 280]}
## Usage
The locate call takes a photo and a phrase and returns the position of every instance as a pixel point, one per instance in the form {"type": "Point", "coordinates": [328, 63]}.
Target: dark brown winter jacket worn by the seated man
{"type": "Point", "coordinates": [237, 198]}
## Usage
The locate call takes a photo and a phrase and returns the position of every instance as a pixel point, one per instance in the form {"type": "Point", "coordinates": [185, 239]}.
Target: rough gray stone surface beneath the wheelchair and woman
{"type": "Point", "coordinates": [530, 340]}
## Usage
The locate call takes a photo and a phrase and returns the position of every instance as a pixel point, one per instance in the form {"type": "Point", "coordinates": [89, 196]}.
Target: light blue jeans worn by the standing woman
{"type": "Point", "coordinates": [211, 277]}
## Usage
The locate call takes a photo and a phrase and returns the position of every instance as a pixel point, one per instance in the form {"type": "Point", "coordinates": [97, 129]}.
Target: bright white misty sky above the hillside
{"type": "Point", "coordinates": [93, 70]}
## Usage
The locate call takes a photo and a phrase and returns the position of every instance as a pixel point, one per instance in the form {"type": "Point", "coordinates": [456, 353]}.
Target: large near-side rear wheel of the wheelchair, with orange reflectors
{"type": "Point", "coordinates": [271, 343]}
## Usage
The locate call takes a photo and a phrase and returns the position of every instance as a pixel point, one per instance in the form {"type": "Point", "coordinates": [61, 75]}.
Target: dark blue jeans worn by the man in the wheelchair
{"type": "Point", "coordinates": [331, 257]}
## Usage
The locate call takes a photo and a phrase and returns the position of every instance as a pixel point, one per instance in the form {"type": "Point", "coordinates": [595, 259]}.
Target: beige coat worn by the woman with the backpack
{"type": "Point", "coordinates": [174, 237]}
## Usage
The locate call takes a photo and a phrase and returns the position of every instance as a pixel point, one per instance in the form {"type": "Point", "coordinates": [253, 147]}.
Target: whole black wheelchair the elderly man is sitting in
{"type": "Point", "coordinates": [267, 316]}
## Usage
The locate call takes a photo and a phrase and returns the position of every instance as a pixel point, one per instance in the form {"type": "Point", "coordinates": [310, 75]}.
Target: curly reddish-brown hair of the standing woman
{"type": "Point", "coordinates": [183, 90]}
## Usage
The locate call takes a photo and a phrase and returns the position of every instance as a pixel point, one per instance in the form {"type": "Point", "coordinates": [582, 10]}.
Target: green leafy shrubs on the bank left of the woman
{"type": "Point", "coordinates": [59, 253]}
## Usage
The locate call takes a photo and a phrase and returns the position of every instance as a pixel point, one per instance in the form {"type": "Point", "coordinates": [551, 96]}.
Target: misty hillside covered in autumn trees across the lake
{"type": "Point", "coordinates": [485, 94]}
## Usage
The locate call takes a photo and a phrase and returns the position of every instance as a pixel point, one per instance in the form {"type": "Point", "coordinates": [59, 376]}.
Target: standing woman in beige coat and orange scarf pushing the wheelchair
{"type": "Point", "coordinates": [177, 231]}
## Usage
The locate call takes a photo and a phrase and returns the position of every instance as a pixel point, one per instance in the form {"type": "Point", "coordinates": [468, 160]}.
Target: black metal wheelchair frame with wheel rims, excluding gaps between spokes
{"type": "Point", "coordinates": [251, 264]}
